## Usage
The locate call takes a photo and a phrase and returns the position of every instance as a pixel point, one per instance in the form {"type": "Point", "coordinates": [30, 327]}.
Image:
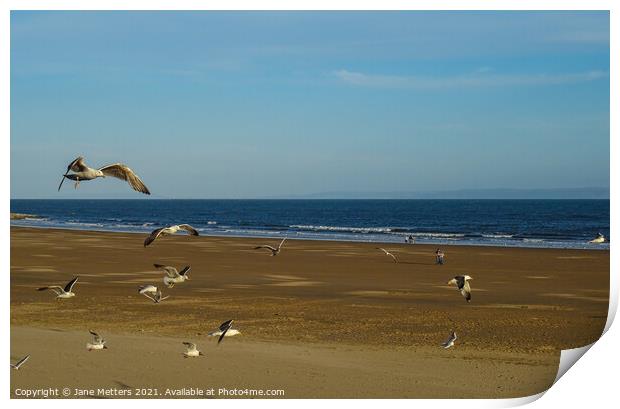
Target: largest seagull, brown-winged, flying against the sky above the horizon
{"type": "Point", "coordinates": [81, 172]}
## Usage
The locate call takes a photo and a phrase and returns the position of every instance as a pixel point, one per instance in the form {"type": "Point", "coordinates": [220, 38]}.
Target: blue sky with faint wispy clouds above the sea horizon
{"type": "Point", "coordinates": [259, 104]}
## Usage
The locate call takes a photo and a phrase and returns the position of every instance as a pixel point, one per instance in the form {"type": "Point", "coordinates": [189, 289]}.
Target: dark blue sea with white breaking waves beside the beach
{"type": "Point", "coordinates": [510, 223]}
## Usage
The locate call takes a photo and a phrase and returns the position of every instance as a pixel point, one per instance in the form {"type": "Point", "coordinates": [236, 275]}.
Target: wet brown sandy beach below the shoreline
{"type": "Point", "coordinates": [321, 320]}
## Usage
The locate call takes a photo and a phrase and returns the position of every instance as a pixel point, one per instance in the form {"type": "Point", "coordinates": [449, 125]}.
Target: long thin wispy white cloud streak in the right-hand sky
{"type": "Point", "coordinates": [471, 80]}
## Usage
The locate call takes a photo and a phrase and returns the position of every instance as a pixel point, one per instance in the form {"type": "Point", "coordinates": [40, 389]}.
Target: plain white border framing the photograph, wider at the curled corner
{"type": "Point", "coordinates": [593, 380]}
